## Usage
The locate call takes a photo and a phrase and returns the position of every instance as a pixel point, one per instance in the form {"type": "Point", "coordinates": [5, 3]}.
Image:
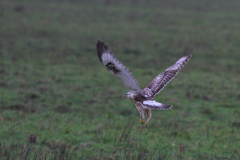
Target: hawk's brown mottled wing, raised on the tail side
{"type": "Point", "coordinates": [164, 78]}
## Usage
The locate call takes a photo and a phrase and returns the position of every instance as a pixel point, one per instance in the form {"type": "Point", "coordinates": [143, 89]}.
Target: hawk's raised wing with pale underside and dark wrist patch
{"type": "Point", "coordinates": [116, 67]}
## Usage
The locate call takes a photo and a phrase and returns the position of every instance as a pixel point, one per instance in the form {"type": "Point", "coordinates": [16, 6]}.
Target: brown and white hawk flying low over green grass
{"type": "Point", "coordinates": [143, 98]}
